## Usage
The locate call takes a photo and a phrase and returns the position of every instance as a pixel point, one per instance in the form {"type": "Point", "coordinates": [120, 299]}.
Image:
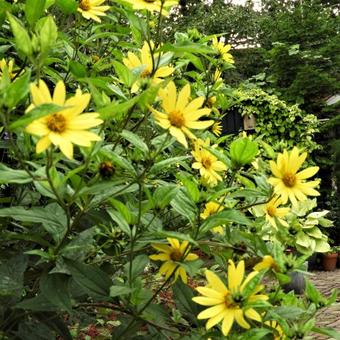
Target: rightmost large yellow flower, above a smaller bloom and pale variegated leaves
{"type": "Point", "coordinates": [288, 183]}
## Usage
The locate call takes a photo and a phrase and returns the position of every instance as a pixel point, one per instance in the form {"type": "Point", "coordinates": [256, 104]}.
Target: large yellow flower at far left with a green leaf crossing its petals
{"type": "Point", "coordinates": [65, 127]}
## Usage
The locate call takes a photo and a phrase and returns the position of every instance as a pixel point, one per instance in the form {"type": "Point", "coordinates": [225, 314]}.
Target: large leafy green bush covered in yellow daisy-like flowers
{"type": "Point", "coordinates": [124, 213]}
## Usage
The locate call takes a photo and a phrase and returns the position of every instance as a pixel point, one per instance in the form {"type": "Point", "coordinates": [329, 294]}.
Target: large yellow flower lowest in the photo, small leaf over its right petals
{"type": "Point", "coordinates": [228, 303]}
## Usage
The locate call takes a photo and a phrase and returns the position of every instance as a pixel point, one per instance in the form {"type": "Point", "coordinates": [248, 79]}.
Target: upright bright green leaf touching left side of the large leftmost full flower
{"type": "Point", "coordinates": [17, 90]}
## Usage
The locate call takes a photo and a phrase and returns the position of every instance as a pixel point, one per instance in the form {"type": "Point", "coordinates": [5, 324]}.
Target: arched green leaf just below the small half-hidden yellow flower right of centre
{"type": "Point", "coordinates": [223, 217]}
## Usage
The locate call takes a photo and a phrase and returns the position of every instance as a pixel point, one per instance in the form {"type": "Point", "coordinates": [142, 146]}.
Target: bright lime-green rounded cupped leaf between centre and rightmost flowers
{"type": "Point", "coordinates": [243, 151]}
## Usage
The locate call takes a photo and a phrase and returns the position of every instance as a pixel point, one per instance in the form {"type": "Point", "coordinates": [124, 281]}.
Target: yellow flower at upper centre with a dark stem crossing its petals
{"type": "Point", "coordinates": [146, 67]}
